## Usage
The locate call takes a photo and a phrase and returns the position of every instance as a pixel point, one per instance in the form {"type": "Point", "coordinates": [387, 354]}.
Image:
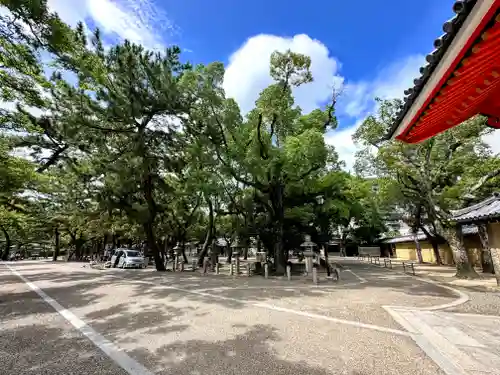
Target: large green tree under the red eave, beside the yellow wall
{"type": "Point", "coordinates": [433, 177]}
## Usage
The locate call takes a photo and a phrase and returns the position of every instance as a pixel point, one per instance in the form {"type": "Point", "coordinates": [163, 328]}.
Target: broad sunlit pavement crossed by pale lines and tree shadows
{"type": "Point", "coordinates": [143, 322]}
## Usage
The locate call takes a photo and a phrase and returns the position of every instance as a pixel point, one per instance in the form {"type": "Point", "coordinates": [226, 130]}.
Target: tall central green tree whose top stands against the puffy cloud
{"type": "Point", "coordinates": [271, 148]}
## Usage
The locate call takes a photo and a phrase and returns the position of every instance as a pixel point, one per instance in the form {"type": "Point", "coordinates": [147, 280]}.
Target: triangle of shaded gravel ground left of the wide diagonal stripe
{"type": "Point", "coordinates": [36, 340]}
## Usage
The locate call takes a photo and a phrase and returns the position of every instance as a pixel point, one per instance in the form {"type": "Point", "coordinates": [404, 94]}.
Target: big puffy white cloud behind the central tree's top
{"type": "Point", "coordinates": [248, 71]}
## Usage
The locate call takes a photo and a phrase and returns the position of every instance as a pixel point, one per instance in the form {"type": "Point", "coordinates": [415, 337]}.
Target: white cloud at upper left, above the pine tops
{"type": "Point", "coordinates": [136, 20]}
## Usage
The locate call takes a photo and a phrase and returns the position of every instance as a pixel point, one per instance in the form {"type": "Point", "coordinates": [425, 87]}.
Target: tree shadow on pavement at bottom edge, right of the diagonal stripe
{"type": "Point", "coordinates": [249, 353]}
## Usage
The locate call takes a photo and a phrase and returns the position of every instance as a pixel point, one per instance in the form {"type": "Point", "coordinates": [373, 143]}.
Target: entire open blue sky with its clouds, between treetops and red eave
{"type": "Point", "coordinates": [371, 48]}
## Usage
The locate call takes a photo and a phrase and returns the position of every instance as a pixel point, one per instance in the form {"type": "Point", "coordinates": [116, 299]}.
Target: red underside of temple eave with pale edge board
{"type": "Point", "coordinates": [466, 82]}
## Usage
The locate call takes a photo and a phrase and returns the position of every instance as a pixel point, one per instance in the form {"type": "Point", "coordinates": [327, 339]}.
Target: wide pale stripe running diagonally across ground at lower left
{"type": "Point", "coordinates": [111, 350]}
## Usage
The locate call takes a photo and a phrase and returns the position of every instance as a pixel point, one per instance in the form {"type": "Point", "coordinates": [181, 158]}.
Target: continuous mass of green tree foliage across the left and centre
{"type": "Point", "coordinates": [130, 144]}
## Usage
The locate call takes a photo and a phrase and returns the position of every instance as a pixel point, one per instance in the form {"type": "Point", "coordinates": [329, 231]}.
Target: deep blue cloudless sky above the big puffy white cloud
{"type": "Point", "coordinates": [363, 35]}
